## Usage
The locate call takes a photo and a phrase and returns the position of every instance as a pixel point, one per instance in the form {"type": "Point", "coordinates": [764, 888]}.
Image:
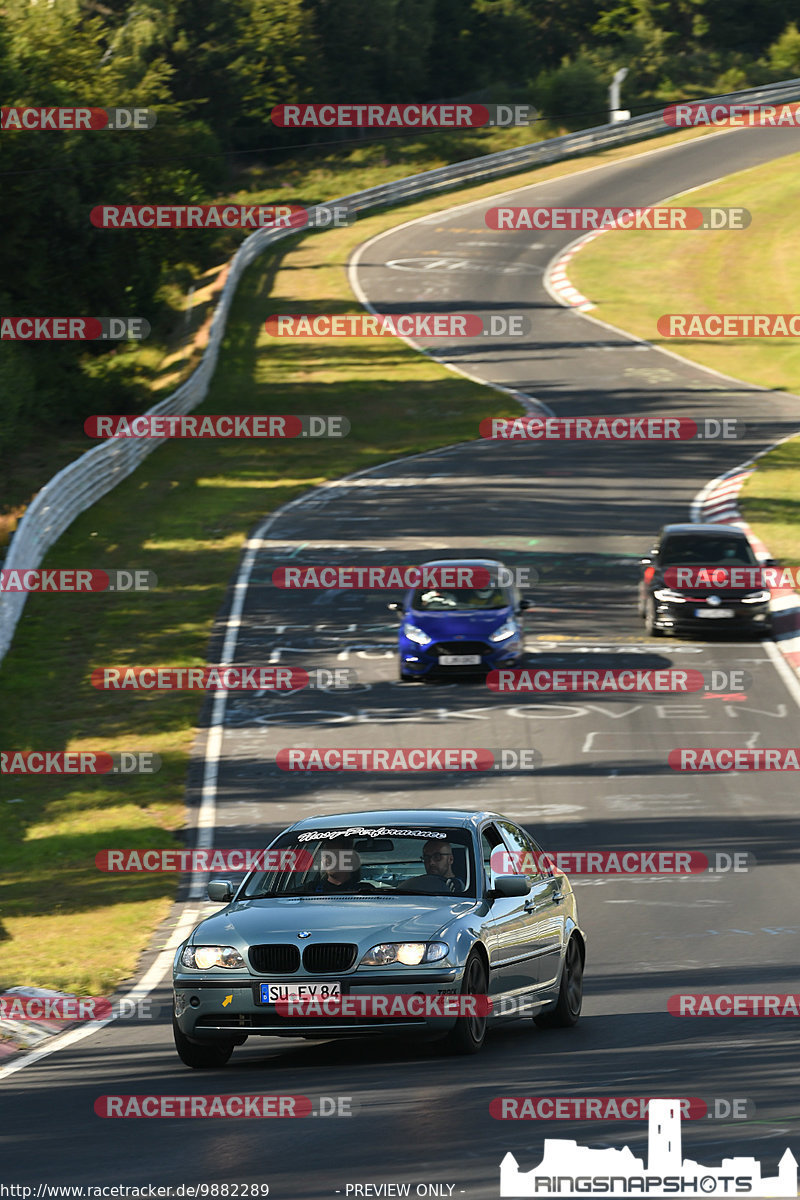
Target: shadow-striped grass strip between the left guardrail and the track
{"type": "Point", "coordinates": [185, 514]}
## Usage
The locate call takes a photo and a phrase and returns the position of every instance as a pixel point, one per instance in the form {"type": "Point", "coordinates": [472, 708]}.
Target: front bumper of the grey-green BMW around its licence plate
{"type": "Point", "coordinates": [201, 1013]}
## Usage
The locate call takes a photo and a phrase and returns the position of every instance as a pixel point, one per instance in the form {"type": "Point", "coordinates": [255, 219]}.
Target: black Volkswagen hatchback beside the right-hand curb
{"type": "Point", "coordinates": [703, 577]}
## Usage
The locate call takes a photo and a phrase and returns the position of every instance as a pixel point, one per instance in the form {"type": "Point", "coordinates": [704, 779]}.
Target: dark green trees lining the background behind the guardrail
{"type": "Point", "coordinates": [215, 69]}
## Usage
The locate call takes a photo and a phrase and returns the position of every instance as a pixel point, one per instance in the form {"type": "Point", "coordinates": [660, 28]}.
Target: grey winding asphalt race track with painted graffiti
{"type": "Point", "coordinates": [604, 784]}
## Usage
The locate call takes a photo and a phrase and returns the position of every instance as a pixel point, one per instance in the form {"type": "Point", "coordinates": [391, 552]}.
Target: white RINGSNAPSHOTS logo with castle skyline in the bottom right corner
{"type": "Point", "coordinates": [568, 1169]}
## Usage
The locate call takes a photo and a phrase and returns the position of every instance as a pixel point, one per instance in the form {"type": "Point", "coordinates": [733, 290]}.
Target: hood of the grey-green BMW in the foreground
{"type": "Point", "coordinates": [358, 920]}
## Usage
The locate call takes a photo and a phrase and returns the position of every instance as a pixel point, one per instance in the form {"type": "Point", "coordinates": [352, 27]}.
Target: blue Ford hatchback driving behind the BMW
{"type": "Point", "coordinates": [461, 631]}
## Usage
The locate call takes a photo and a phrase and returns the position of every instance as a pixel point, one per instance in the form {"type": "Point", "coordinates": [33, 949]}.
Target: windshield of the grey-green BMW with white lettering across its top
{"type": "Point", "coordinates": [426, 861]}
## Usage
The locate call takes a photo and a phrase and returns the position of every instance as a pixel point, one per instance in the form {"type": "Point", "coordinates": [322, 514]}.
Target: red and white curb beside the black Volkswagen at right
{"type": "Point", "coordinates": [718, 503]}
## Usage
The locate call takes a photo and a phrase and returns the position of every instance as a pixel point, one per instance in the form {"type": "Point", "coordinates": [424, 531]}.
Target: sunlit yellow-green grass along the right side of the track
{"type": "Point", "coordinates": [634, 278]}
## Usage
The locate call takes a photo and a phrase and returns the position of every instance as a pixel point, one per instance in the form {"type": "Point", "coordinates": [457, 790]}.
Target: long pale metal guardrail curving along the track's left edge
{"type": "Point", "coordinates": [94, 475]}
